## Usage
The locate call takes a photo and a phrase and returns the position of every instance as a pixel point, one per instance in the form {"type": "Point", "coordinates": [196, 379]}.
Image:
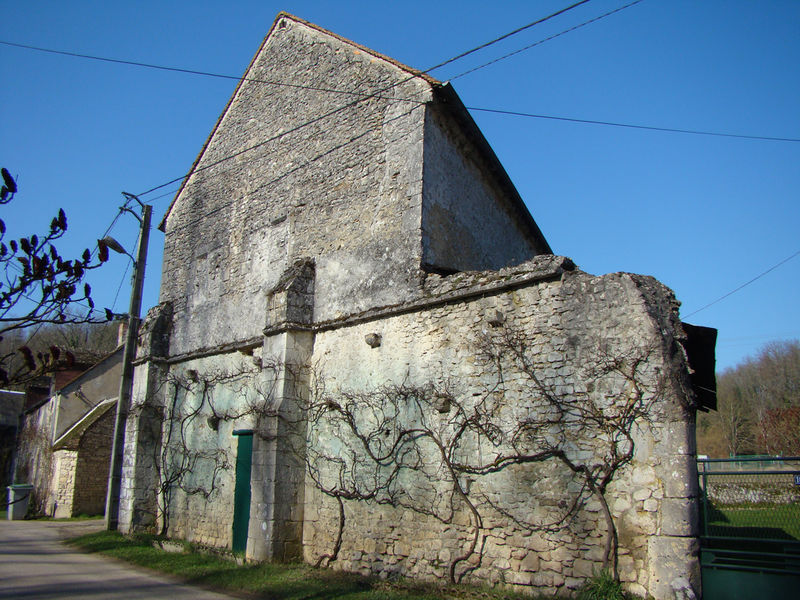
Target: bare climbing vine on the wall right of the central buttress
{"type": "Point", "coordinates": [432, 449]}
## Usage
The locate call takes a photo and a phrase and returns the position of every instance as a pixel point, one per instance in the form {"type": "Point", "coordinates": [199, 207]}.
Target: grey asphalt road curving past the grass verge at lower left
{"type": "Point", "coordinates": [35, 564]}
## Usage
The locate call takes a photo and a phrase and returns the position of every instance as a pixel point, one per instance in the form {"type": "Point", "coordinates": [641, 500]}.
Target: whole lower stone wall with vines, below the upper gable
{"type": "Point", "coordinates": [489, 429]}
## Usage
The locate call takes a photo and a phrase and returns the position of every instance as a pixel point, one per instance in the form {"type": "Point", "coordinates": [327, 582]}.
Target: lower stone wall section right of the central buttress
{"type": "Point", "coordinates": [567, 326]}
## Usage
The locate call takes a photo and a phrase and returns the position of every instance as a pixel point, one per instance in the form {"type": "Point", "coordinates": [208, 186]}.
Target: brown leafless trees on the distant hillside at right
{"type": "Point", "coordinates": [758, 406]}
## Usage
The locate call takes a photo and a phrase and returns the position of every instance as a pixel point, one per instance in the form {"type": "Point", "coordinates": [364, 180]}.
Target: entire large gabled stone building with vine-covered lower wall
{"type": "Point", "coordinates": [366, 354]}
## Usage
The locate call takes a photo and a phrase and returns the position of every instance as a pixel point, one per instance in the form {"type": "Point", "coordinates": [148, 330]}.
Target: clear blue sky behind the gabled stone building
{"type": "Point", "coordinates": [702, 214]}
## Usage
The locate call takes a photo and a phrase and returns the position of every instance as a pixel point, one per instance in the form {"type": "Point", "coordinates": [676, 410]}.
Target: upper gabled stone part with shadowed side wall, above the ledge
{"type": "Point", "coordinates": [334, 176]}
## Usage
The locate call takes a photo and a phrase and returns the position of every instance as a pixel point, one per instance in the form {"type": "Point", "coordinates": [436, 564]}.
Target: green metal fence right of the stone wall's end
{"type": "Point", "coordinates": [750, 527]}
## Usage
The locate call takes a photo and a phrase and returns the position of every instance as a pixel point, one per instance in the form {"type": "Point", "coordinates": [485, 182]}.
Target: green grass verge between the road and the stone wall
{"type": "Point", "coordinates": [273, 581]}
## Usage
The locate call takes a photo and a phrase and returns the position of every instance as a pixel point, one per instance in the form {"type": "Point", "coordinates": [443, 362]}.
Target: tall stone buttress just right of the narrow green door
{"type": "Point", "coordinates": [278, 471]}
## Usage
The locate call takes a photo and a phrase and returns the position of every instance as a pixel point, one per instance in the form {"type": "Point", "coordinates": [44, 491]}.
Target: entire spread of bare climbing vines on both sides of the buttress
{"type": "Point", "coordinates": [432, 448]}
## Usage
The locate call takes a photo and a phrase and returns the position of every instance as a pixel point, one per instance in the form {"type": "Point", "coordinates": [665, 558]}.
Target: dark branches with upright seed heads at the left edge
{"type": "Point", "coordinates": [39, 287]}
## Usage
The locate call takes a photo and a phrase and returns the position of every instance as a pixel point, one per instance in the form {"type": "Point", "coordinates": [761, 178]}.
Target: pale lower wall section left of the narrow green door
{"type": "Point", "coordinates": [206, 400]}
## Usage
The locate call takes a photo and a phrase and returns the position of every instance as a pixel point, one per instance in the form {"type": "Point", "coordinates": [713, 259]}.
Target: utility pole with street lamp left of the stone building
{"type": "Point", "coordinates": [126, 383]}
